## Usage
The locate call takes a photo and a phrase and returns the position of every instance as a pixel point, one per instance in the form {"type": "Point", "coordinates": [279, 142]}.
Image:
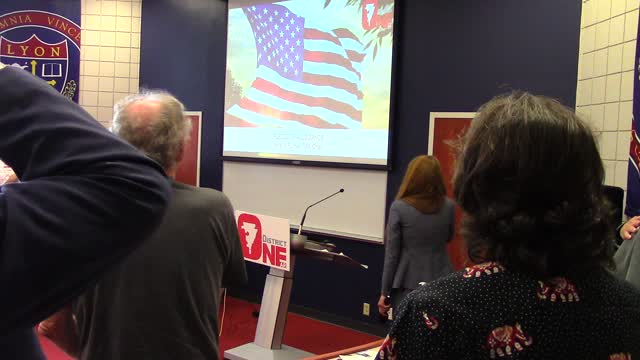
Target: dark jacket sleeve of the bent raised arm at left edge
{"type": "Point", "coordinates": [86, 200]}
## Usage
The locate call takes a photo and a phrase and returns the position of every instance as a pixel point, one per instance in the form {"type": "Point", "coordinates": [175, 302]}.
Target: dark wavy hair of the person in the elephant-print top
{"type": "Point", "coordinates": [530, 181]}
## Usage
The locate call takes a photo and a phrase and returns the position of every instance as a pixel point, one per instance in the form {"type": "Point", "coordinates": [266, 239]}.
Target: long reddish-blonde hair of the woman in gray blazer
{"type": "Point", "coordinates": [423, 185]}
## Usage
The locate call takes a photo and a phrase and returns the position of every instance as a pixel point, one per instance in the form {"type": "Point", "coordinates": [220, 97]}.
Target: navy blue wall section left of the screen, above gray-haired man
{"type": "Point", "coordinates": [183, 50]}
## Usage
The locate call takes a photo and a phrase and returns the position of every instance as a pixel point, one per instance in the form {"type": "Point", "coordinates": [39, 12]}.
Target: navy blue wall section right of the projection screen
{"type": "Point", "coordinates": [454, 55]}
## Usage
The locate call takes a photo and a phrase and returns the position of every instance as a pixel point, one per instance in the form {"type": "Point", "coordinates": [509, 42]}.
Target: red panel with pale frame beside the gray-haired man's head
{"type": "Point", "coordinates": [189, 167]}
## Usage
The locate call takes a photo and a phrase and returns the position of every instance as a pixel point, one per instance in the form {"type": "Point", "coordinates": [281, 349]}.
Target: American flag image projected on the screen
{"type": "Point", "coordinates": [306, 76]}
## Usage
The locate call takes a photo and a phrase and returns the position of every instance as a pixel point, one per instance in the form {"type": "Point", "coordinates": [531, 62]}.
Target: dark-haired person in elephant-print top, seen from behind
{"type": "Point", "coordinates": [538, 230]}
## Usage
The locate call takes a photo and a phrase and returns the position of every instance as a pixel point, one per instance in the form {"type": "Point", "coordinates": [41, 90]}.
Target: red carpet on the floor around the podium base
{"type": "Point", "coordinates": [240, 326]}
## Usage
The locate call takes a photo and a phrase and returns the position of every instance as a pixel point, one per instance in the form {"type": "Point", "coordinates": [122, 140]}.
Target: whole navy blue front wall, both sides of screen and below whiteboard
{"type": "Point", "coordinates": [453, 55]}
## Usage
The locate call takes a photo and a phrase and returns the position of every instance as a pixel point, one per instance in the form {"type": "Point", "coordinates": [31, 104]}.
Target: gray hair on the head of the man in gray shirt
{"type": "Point", "coordinates": [159, 134]}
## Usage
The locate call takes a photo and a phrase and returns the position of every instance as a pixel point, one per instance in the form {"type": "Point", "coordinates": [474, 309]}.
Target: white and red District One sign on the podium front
{"type": "Point", "coordinates": [265, 239]}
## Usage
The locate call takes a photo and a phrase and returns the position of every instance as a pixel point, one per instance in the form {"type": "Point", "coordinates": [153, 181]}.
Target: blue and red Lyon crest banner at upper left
{"type": "Point", "coordinates": [46, 45]}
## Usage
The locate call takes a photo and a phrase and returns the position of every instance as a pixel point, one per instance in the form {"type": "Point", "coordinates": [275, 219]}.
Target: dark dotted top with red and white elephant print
{"type": "Point", "coordinates": [488, 312]}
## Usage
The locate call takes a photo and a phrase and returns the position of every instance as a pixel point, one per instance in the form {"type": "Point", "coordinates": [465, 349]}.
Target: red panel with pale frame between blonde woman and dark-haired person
{"type": "Point", "coordinates": [445, 127]}
